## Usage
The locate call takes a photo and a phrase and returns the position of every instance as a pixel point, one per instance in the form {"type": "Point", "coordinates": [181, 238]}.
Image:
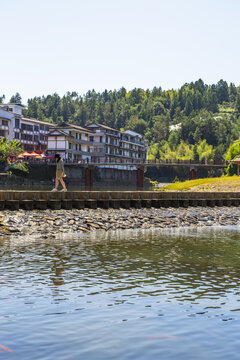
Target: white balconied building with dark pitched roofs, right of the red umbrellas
{"type": "Point", "coordinates": [96, 143]}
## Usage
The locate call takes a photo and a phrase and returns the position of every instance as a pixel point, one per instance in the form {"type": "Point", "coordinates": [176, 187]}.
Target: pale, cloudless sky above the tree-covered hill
{"type": "Point", "coordinates": [52, 46]}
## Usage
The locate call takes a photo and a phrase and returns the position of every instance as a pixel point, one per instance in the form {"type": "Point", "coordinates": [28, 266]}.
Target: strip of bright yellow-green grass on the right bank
{"type": "Point", "coordinates": [179, 186]}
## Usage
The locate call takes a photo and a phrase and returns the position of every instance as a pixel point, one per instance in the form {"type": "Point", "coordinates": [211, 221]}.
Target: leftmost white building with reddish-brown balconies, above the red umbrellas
{"type": "Point", "coordinates": [31, 133]}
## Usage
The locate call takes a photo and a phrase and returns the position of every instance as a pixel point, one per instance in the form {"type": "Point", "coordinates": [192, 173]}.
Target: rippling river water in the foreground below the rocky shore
{"type": "Point", "coordinates": [129, 295]}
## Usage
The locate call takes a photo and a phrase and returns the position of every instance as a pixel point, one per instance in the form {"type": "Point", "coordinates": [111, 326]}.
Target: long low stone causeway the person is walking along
{"type": "Point", "coordinates": [42, 200]}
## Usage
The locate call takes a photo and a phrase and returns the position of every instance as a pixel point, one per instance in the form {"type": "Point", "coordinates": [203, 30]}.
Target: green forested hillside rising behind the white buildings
{"type": "Point", "coordinates": [206, 116]}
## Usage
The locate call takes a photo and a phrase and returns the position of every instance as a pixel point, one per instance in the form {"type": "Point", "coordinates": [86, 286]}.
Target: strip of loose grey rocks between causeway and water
{"type": "Point", "coordinates": [50, 224]}
